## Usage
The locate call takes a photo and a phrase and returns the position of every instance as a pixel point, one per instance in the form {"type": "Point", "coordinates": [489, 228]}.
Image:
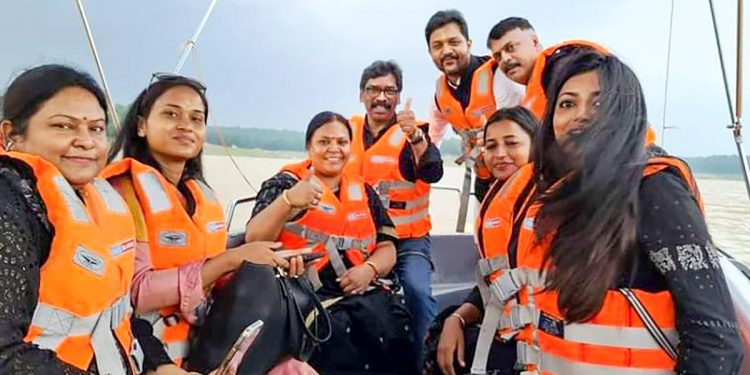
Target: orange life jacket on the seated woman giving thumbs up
{"type": "Point", "coordinates": [336, 224]}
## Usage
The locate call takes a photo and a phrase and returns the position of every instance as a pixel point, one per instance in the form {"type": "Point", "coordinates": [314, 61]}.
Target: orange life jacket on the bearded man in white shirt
{"type": "Point", "coordinates": [469, 122]}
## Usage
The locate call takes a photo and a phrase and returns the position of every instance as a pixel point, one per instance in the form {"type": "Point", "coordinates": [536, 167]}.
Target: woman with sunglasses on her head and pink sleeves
{"type": "Point", "coordinates": [181, 233]}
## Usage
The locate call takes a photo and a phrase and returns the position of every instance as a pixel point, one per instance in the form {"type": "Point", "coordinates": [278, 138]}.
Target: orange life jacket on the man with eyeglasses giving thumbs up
{"type": "Point", "coordinates": [407, 202]}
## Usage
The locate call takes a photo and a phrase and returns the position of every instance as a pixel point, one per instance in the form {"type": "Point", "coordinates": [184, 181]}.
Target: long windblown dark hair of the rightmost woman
{"type": "Point", "coordinates": [589, 194]}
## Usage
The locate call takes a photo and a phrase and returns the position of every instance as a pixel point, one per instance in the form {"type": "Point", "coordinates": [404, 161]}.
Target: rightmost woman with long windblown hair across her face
{"type": "Point", "coordinates": [605, 264]}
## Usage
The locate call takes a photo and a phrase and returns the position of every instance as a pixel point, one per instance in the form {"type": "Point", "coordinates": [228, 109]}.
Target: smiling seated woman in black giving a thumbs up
{"type": "Point", "coordinates": [317, 203]}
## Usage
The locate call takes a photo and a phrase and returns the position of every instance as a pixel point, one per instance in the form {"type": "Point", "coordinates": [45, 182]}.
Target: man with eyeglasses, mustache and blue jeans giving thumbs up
{"type": "Point", "coordinates": [395, 155]}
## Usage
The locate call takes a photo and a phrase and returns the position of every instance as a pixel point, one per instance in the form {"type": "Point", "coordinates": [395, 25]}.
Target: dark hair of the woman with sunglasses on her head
{"type": "Point", "coordinates": [133, 146]}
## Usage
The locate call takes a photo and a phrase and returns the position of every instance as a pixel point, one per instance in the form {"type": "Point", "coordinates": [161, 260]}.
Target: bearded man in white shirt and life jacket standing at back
{"type": "Point", "coordinates": [466, 93]}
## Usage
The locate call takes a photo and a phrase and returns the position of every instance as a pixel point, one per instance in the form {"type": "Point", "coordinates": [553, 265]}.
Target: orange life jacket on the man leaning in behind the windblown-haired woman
{"type": "Point", "coordinates": [535, 98]}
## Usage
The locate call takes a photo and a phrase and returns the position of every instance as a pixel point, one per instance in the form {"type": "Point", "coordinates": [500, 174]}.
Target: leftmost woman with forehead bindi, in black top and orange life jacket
{"type": "Point", "coordinates": [65, 306]}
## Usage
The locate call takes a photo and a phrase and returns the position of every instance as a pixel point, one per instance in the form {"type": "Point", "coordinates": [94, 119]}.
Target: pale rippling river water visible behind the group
{"type": "Point", "coordinates": [727, 205]}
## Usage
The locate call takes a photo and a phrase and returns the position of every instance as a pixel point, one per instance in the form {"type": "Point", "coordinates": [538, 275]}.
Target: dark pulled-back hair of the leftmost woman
{"type": "Point", "coordinates": [34, 87]}
